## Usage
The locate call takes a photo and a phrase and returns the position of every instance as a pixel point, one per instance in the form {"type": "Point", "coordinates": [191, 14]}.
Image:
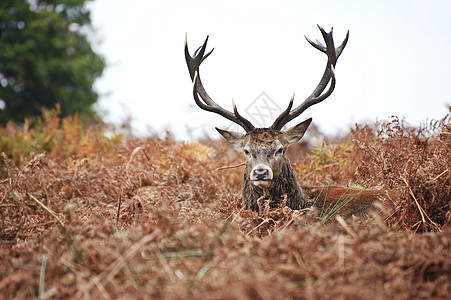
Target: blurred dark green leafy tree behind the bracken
{"type": "Point", "coordinates": [46, 58]}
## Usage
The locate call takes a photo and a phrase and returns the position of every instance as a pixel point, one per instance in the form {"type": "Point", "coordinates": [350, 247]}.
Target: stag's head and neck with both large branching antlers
{"type": "Point", "coordinates": [268, 172]}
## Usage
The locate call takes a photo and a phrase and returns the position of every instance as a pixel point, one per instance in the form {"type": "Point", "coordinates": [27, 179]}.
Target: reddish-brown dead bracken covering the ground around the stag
{"type": "Point", "coordinates": [86, 216]}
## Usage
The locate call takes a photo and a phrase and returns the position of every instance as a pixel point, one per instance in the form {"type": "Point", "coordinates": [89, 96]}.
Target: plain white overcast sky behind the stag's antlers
{"type": "Point", "coordinates": [397, 61]}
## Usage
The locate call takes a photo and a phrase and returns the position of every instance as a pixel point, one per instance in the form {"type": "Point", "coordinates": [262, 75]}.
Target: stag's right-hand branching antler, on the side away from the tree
{"type": "Point", "coordinates": [317, 95]}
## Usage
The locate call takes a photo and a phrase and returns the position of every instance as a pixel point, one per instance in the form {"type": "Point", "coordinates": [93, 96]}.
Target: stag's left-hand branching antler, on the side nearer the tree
{"type": "Point", "coordinates": [207, 103]}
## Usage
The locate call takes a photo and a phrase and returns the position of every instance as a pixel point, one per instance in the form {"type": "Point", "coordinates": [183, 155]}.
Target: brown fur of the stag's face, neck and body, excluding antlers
{"type": "Point", "coordinates": [261, 146]}
